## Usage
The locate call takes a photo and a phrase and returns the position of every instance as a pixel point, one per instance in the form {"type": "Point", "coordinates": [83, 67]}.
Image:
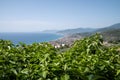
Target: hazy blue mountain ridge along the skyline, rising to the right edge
{"type": "Point", "coordinates": [89, 30]}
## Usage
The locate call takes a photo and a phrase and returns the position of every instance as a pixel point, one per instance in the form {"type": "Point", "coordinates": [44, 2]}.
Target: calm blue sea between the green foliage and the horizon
{"type": "Point", "coordinates": [29, 38]}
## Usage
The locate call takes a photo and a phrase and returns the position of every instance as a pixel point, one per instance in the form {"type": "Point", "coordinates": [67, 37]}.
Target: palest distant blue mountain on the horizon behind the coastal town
{"type": "Point", "coordinates": [77, 30]}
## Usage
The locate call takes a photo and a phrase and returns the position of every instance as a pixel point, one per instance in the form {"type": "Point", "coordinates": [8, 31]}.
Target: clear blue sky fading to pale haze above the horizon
{"type": "Point", "coordinates": [39, 15]}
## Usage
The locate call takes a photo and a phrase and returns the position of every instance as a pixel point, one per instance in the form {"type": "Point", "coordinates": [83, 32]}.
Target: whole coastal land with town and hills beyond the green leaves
{"type": "Point", "coordinates": [109, 33]}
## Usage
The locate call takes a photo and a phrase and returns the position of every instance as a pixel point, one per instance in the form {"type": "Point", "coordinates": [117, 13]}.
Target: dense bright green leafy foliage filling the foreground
{"type": "Point", "coordinates": [87, 59]}
